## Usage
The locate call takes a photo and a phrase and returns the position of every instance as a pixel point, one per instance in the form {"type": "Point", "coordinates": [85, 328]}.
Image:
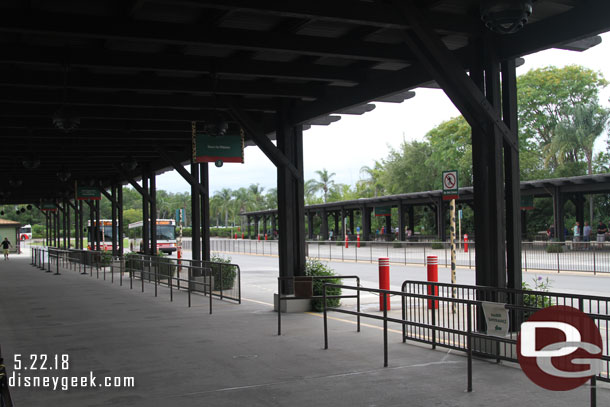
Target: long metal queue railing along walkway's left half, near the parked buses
{"type": "Point", "coordinates": [220, 280]}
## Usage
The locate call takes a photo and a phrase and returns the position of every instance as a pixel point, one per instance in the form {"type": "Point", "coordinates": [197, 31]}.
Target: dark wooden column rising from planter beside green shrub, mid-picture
{"type": "Point", "coordinates": [291, 206]}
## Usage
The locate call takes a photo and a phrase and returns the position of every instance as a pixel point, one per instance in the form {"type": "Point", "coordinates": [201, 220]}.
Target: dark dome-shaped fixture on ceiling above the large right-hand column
{"type": "Point", "coordinates": [505, 16]}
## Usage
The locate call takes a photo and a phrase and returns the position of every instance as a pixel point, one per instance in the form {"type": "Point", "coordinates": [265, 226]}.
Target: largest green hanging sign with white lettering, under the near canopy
{"type": "Point", "coordinates": [223, 149]}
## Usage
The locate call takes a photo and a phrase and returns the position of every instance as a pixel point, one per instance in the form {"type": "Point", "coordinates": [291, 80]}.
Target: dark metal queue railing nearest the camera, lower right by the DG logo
{"type": "Point", "coordinates": [473, 340]}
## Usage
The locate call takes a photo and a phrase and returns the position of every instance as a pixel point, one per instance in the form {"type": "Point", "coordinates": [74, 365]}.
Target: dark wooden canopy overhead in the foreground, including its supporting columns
{"type": "Point", "coordinates": [104, 93]}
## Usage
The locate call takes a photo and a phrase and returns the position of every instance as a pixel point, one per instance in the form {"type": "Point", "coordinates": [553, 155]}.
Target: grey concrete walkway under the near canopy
{"type": "Point", "coordinates": [182, 356]}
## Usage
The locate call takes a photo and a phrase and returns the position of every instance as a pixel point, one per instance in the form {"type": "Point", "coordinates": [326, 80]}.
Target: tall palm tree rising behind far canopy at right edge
{"type": "Point", "coordinates": [576, 137]}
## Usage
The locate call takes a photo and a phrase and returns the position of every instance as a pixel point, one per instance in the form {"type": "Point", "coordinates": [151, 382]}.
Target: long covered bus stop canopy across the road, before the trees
{"type": "Point", "coordinates": [561, 190]}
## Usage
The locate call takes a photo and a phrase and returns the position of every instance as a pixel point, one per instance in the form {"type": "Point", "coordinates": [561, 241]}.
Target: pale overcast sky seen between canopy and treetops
{"type": "Point", "coordinates": [344, 147]}
